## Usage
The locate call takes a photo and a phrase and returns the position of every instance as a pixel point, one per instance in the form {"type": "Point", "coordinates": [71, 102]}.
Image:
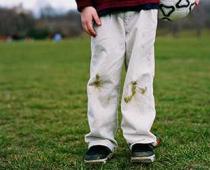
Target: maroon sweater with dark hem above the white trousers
{"type": "Point", "coordinates": [107, 6]}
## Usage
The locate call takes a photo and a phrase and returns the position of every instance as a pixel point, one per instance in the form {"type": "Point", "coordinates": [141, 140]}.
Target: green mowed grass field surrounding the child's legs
{"type": "Point", "coordinates": [43, 106]}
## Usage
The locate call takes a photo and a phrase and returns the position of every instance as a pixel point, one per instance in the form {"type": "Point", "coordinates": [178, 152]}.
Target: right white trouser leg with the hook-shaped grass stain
{"type": "Point", "coordinates": [137, 104]}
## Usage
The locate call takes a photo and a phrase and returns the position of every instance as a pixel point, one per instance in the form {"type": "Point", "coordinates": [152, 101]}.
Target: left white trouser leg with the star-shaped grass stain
{"type": "Point", "coordinates": [108, 49]}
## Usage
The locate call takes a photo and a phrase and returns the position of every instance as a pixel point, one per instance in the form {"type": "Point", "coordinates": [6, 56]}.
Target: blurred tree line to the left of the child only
{"type": "Point", "coordinates": [18, 23]}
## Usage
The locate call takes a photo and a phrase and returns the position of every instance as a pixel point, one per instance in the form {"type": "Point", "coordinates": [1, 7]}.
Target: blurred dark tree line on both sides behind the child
{"type": "Point", "coordinates": [18, 23]}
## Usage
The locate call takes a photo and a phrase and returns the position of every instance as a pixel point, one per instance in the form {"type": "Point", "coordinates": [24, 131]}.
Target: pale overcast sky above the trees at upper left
{"type": "Point", "coordinates": [35, 5]}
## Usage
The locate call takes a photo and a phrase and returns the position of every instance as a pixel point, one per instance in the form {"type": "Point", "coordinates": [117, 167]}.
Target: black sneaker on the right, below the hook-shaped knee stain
{"type": "Point", "coordinates": [142, 153]}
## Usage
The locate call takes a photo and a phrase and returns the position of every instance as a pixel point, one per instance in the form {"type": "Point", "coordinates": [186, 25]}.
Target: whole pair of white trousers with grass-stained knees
{"type": "Point", "coordinates": [123, 37]}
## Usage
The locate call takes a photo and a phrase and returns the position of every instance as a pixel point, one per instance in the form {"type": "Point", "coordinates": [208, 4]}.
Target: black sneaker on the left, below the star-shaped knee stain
{"type": "Point", "coordinates": [98, 154]}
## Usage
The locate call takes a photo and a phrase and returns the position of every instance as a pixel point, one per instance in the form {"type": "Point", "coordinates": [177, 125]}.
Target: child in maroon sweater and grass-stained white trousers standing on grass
{"type": "Point", "coordinates": [121, 32]}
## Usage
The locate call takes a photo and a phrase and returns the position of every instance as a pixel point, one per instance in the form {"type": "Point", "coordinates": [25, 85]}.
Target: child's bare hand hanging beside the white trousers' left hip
{"type": "Point", "coordinates": [88, 16]}
